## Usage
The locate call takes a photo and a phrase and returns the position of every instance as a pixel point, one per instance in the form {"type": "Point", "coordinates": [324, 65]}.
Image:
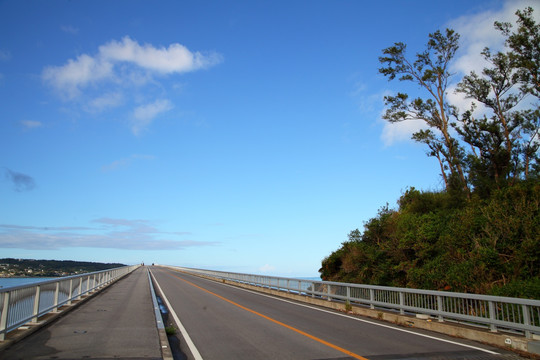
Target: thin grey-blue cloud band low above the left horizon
{"type": "Point", "coordinates": [109, 233]}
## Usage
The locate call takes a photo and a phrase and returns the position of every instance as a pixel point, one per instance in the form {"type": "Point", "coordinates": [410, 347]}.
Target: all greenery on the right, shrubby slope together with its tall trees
{"type": "Point", "coordinates": [481, 233]}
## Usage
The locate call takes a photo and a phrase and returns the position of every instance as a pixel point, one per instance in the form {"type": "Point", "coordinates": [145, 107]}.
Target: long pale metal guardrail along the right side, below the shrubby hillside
{"type": "Point", "coordinates": [496, 313]}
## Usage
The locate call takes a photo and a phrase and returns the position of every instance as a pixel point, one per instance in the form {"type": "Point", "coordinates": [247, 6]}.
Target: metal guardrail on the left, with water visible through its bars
{"type": "Point", "coordinates": [26, 303]}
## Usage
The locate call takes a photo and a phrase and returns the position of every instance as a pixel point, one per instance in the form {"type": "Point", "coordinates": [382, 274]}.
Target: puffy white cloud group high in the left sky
{"type": "Point", "coordinates": [117, 73]}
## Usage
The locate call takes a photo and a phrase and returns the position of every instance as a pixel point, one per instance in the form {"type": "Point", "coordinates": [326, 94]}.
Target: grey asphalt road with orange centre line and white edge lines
{"type": "Point", "coordinates": [225, 322]}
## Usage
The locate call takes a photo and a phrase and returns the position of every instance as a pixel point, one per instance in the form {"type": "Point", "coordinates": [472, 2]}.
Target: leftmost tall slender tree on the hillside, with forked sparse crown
{"type": "Point", "coordinates": [430, 71]}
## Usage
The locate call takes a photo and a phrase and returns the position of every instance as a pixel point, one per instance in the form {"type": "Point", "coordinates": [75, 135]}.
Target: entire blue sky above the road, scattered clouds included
{"type": "Point", "coordinates": [236, 135]}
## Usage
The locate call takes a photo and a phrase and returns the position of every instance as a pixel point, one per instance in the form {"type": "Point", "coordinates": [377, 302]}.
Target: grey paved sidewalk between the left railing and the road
{"type": "Point", "coordinates": [117, 323]}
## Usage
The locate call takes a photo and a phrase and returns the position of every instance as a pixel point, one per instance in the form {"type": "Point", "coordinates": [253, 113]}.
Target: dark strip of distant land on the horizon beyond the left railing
{"type": "Point", "coordinates": [49, 268]}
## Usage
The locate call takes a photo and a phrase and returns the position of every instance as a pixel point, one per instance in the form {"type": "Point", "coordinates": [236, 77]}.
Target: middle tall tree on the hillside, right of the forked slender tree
{"type": "Point", "coordinates": [495, 137]}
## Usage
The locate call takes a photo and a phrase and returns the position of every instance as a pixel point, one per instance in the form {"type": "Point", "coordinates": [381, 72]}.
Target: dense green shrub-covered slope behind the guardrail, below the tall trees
{"type": "Point", "coordinates": [433, 241]}
